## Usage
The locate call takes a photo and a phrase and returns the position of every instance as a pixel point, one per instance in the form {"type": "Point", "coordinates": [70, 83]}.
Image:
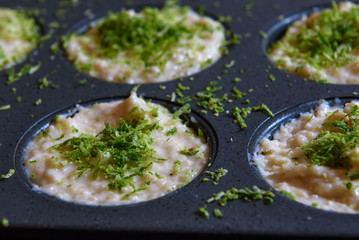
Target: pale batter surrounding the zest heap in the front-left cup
{"type": "Point", "coordinates": [179, 155]}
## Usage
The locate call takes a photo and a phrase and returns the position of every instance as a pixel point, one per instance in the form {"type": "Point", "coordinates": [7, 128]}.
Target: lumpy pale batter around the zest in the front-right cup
{"type": "Point", "coordinates": [282, 162]}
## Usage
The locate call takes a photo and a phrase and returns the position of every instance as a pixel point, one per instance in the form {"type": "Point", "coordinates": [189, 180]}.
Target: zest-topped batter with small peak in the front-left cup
{"type": "Point", "coordinates": [116, 153]}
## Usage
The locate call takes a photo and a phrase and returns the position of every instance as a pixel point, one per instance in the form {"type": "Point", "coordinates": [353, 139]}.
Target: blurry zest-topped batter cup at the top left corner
{"type": "Point", "coordinates": [20, 35]}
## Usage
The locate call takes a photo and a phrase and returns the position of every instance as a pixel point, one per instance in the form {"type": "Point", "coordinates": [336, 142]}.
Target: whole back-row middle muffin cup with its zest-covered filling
{"type": "Point", "coordinates": [181, 50]}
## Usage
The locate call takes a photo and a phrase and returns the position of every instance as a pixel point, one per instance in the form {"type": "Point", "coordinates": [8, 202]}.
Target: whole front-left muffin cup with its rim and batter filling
{"type": "Point", "coordinates": [165, 174]}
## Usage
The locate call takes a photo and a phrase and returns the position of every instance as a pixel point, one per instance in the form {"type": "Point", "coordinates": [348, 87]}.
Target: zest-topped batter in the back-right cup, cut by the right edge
{"type": "Point", "coordinates": [335, 67]}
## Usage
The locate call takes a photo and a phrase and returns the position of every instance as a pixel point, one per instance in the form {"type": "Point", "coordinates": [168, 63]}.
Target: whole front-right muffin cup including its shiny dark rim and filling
{"type": "Point", "coordinates": [281, 153]}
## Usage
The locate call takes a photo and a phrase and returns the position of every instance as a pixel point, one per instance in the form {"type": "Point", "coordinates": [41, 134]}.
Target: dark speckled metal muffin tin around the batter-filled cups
{"type": "Point", "coordinates": [175, 215]}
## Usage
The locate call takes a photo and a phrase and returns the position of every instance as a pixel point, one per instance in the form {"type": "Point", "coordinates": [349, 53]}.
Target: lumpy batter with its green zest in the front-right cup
{"type": "Point", "coordinates": [315, 159]}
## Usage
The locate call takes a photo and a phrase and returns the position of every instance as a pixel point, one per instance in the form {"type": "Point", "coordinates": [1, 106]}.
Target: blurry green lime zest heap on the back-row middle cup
{"type": "Point", "coordinates": [151, 36]}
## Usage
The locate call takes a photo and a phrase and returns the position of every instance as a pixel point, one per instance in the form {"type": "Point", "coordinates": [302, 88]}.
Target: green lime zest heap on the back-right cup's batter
{"type": "Point", "coordinates": [325, 41]}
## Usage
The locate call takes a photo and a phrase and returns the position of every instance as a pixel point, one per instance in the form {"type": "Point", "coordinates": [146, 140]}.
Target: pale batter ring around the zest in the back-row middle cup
{"type": "Point", "coordinates": [189, 57]}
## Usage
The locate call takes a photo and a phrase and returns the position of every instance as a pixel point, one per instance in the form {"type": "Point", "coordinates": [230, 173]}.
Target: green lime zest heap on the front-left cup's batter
{"type": "Point", "coordinates": [118, 153]}
